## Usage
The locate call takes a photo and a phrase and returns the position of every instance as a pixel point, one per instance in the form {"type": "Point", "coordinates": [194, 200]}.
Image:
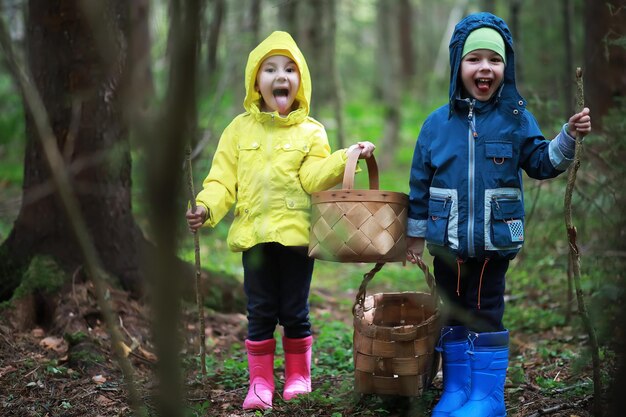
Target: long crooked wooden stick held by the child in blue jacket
{"type": "Point", "coordinates": [575, 256]}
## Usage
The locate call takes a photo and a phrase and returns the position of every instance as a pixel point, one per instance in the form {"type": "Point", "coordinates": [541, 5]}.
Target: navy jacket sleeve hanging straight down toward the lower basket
{"type": "Point", "coordinates": [419, 185]}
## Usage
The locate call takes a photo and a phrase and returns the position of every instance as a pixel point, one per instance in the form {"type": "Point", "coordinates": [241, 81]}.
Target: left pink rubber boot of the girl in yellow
{"type": "Point", "coordinates": [261, 366]}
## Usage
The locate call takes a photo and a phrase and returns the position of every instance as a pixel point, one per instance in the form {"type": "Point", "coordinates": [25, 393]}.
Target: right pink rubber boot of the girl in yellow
{"type": "Point", "coordinates": [297, 366]}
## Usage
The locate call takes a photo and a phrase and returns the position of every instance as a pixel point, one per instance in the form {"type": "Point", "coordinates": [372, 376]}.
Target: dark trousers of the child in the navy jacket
{"type": "Point", "coordinates": [479, 306]}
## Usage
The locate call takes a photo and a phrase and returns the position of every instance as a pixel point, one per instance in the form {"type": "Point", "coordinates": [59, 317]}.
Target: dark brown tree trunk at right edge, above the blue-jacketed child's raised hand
{"type": "Point", "coordinates": [605, 59]}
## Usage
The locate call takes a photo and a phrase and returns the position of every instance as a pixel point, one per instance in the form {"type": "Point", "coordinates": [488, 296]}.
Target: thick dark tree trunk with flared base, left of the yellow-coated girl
{"type": "Point", "coordinates": [81, 98]}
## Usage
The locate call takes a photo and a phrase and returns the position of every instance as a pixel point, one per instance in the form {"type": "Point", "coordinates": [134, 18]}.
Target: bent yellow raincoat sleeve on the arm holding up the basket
{"type": "Point", "coordinates": [321, 169]}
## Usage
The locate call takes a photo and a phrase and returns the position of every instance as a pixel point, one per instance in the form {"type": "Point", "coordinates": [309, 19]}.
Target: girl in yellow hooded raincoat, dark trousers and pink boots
{"type": "Point", "coordinates": [268, 162]}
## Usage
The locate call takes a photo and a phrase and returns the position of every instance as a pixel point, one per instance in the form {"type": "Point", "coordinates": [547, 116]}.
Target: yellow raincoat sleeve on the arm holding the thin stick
{"type": "Point", "coordinates": [220, 186]}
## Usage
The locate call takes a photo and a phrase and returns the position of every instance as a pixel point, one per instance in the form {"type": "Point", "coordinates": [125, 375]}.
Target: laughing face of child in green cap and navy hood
{"type": "Point", "coordinates": [482, 72]}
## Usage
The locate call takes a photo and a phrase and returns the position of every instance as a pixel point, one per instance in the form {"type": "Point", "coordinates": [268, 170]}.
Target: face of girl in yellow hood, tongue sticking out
{"type": "Point", "coordinates": [278, 81]}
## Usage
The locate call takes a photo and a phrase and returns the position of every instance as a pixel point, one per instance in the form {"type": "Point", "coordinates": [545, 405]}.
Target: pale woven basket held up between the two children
{"type": "Point", "coordinates": [349, 225]}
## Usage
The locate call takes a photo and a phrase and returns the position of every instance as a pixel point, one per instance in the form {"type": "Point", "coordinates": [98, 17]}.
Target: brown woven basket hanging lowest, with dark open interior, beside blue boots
{"type": "Point", "coordinates": [394, 340]}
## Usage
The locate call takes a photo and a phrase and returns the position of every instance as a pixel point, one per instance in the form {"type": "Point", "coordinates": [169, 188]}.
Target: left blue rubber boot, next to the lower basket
{"type": "Point", "coordinates": [453, 346]}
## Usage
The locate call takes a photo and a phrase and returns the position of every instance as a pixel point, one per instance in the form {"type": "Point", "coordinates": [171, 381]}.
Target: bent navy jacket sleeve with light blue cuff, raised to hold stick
{"type": "Point", "coordinates": [541, 158]}
